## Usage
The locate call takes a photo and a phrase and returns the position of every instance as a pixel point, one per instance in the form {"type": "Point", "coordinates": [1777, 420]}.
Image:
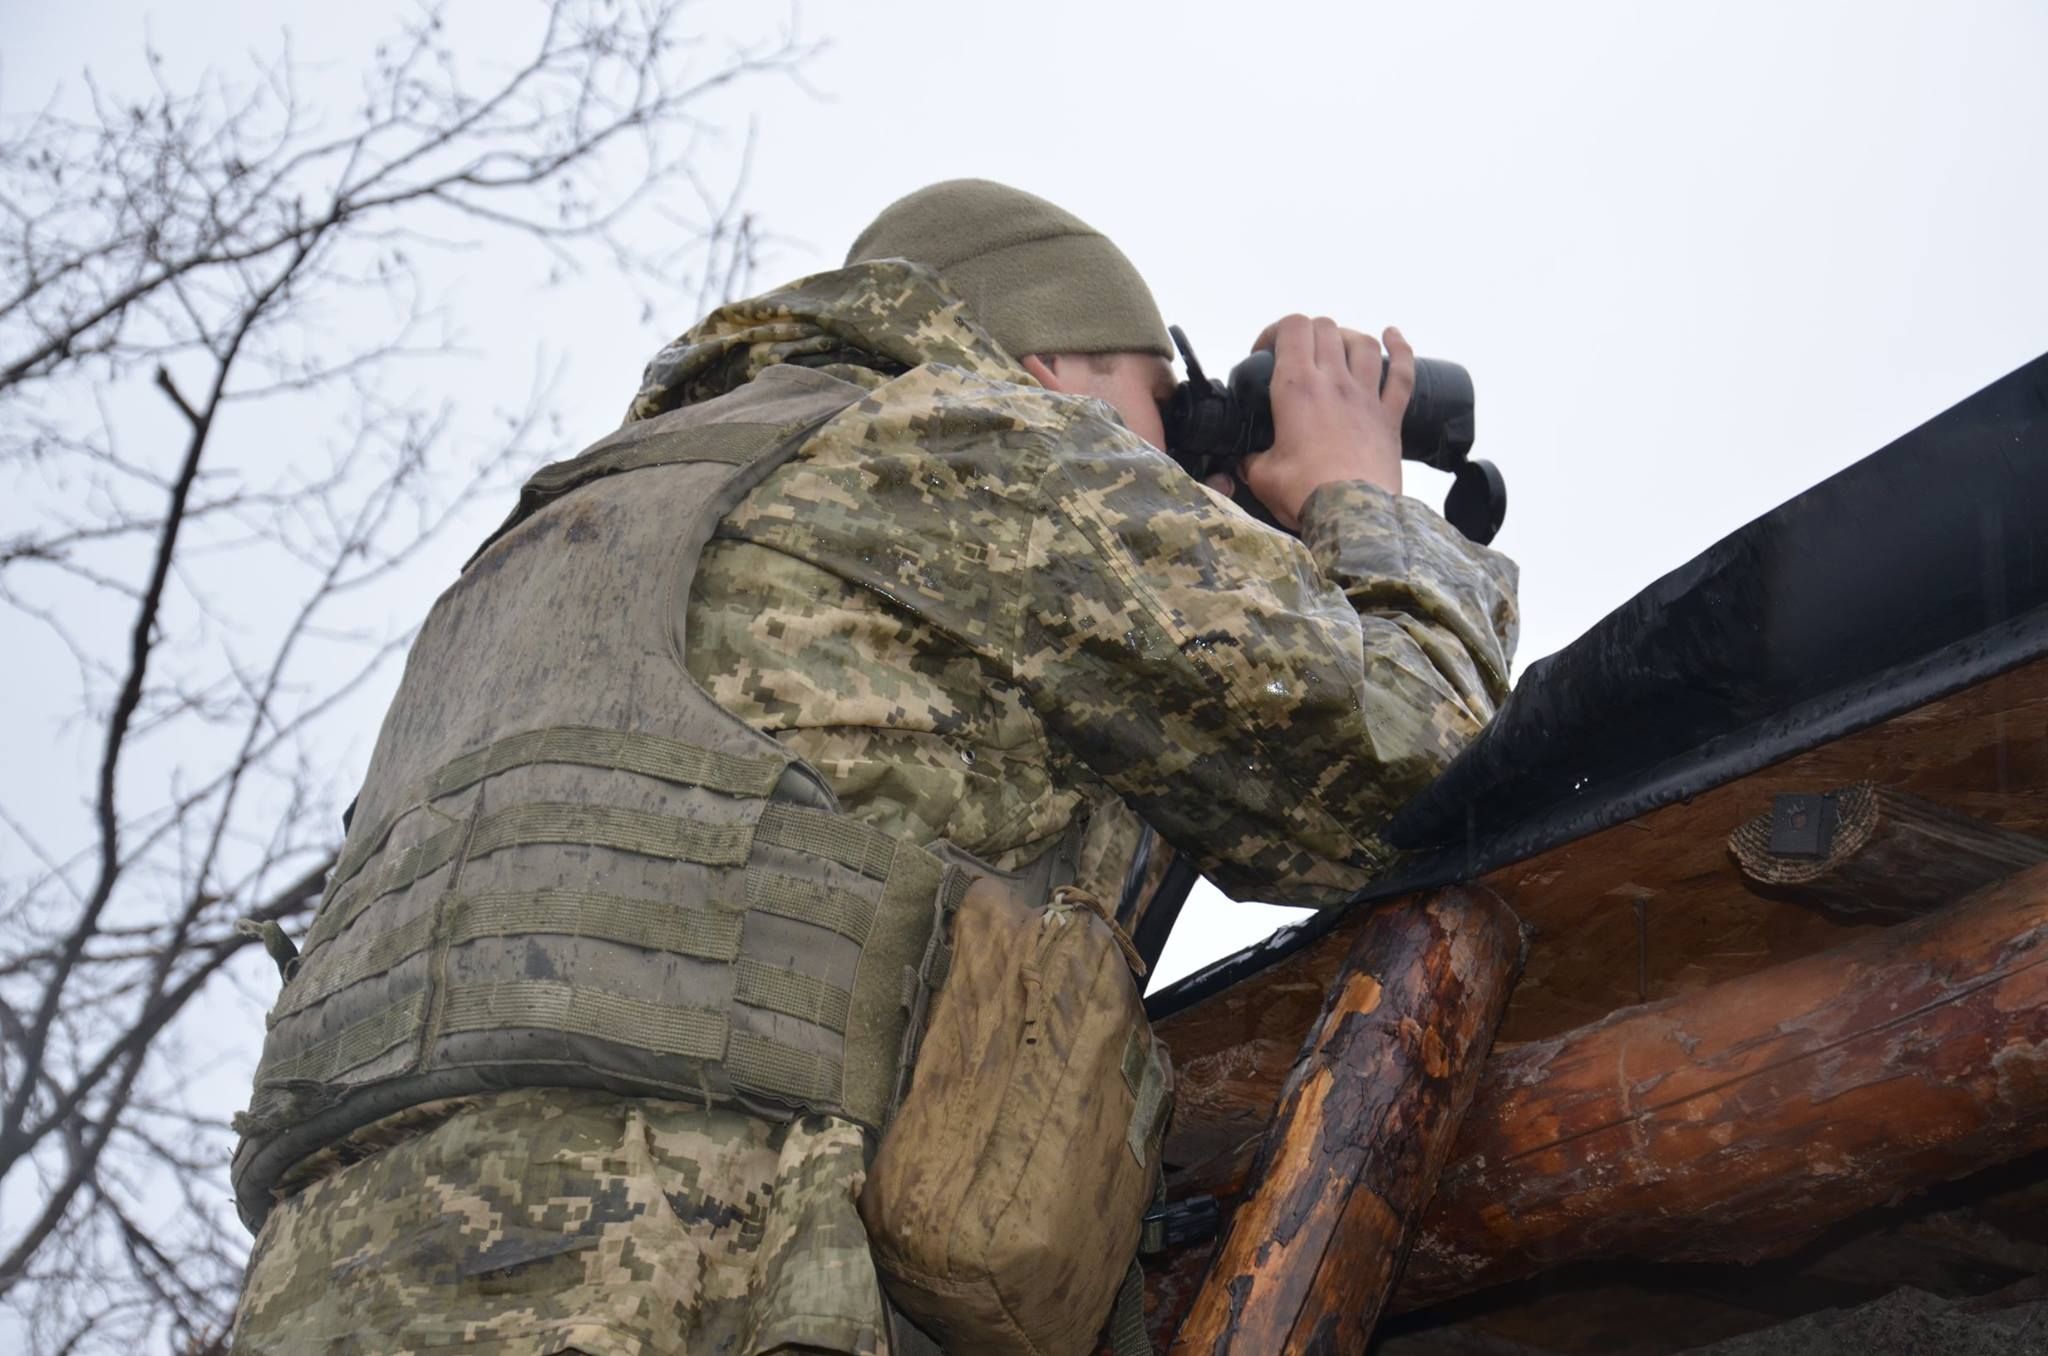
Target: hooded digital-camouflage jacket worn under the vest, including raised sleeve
{"type": "Point", "coordinates": [984, 609]}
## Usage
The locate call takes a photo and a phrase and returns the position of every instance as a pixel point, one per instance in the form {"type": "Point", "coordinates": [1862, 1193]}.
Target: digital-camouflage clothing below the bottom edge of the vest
{"type": "Point", "coordinates": [529, 1224]}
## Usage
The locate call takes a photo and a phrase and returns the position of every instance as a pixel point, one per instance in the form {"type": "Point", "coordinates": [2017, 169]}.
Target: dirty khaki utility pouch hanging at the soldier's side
{"type": "Point", "coordinates": [1007, 1199]}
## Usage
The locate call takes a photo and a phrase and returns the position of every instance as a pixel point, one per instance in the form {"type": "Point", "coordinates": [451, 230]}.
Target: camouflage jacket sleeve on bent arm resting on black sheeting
{"type": "Point", "coordinates": [1263, 702]}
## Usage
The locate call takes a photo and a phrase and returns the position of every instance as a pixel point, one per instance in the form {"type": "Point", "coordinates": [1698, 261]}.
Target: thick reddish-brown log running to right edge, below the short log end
{"type": "Point", "coordinates": [1738, 1124]}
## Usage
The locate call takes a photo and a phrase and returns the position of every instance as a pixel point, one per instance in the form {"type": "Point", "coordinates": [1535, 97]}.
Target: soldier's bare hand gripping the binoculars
{"type": "Point", "coordinates": [1332, 423]}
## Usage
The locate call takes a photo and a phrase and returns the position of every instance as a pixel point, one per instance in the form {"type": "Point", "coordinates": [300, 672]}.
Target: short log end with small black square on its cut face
{"type": "Point", "coordinates": [1877, 853]}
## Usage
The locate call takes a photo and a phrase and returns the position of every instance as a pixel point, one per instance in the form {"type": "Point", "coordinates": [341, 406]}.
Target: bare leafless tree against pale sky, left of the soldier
{"type": "Point", "coordinates": [216, 468]}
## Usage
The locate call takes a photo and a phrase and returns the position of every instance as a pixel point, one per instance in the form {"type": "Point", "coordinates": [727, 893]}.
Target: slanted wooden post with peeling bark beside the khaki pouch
{"type": "Point", "coordinates": [1363, 1130]}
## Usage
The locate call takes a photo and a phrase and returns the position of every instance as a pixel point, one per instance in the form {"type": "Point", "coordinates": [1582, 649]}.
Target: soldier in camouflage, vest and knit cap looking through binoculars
{"type": "Point", "coordinates": [884, 577]}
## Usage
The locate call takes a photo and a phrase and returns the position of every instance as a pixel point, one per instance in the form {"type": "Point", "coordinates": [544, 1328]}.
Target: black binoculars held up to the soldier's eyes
{"type": "Point", "coordinates": [1213, 425]}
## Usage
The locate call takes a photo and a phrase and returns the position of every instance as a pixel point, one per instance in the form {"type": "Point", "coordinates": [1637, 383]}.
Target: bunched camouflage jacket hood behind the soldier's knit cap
{"type": "Point", "coordinates": [867, 323]}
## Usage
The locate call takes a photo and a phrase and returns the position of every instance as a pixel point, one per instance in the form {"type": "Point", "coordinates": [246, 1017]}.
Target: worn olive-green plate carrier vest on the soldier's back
{"type": "Point", "coordinates": [570, 867]}
